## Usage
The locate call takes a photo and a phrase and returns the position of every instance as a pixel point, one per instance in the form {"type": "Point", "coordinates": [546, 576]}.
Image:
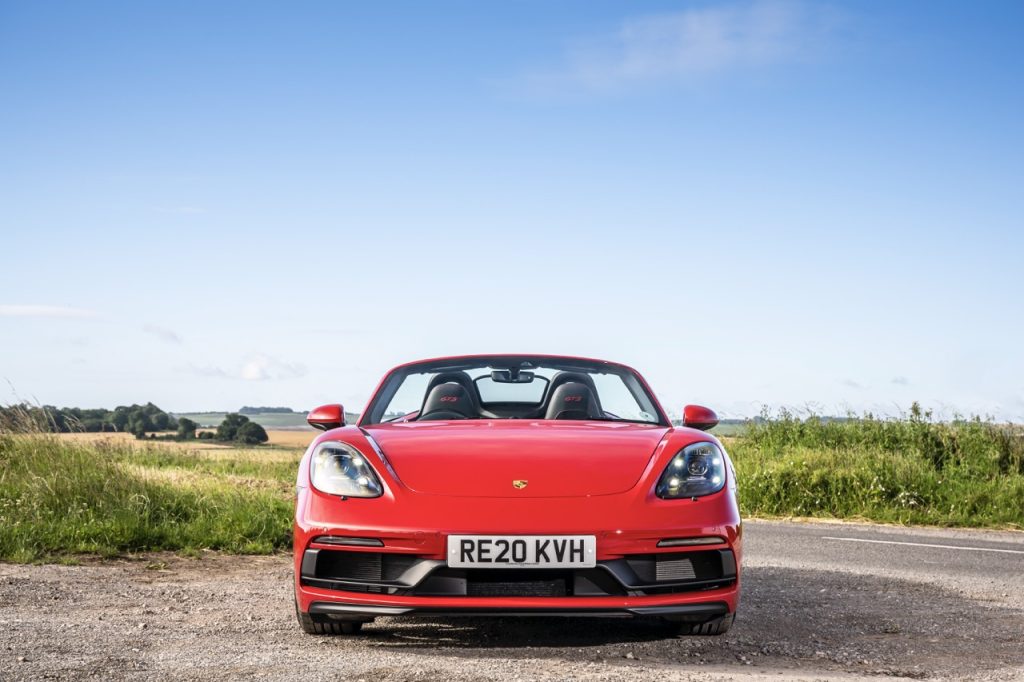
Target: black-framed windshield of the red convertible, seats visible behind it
{"type": "Point", "coordinates": [514, 389]}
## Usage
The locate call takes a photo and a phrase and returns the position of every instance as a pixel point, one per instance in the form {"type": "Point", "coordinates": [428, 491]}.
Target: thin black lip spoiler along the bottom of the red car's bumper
{"type": "Point", "coordinates": [694, 613]}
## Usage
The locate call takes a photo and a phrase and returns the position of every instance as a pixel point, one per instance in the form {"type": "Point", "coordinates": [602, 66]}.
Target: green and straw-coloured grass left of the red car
{"type": "Point", "coordinates": [60, 498]}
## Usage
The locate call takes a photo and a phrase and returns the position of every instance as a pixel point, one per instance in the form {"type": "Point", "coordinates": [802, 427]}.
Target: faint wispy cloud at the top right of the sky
{"type": "Point", "coordinates": [691, 45]}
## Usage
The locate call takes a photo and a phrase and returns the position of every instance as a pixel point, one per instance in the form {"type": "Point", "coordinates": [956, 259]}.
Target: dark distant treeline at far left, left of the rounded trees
{"type": "Point", "coordinates": [138, 419]}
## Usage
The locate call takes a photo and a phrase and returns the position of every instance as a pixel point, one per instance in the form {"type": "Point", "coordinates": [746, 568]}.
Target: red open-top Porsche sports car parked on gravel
{"type": "Point", "coordinates": [516, 486]}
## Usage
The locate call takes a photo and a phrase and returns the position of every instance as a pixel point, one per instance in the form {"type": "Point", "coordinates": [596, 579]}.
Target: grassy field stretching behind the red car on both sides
{"type": "Point", "coordinates": [110, 494]}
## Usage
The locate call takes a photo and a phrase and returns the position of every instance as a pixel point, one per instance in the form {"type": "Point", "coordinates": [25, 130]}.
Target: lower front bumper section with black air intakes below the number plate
{"type": "Point", "coordinates": [697, 584]}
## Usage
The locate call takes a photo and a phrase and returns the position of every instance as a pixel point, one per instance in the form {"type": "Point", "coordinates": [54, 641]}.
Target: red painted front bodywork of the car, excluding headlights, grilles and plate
{"type": "Point", "coordinates": [585, 478]}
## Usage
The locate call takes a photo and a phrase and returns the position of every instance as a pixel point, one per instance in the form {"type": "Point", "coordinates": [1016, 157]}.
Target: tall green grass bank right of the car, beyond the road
{"type": "Point", "coordinates": [909, 471]}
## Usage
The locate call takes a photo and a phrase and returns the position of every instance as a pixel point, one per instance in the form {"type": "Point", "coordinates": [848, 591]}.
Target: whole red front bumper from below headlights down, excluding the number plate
{"type": "Point", "coordinates": [407, 574]}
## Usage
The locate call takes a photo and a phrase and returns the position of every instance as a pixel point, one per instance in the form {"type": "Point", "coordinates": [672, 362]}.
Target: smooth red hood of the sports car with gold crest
{"type": "Point", "coordinates": [485, 458]}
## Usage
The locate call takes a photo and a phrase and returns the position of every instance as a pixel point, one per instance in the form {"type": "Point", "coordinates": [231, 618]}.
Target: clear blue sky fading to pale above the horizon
{"type": "Point", "coordinates": [209, 205]}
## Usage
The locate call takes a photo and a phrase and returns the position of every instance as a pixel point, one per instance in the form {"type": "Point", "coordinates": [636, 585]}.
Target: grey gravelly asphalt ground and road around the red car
{"type": "Point", "coordinates": [821, 602]}
